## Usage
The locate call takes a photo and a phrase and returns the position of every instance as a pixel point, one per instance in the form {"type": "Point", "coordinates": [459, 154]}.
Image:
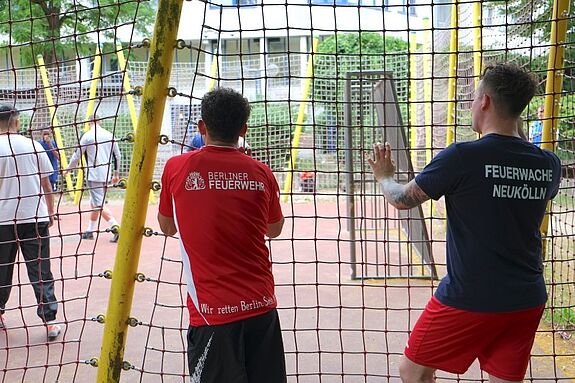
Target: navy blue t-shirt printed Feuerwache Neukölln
{"type": "Point", "coordinates": [496, 190]}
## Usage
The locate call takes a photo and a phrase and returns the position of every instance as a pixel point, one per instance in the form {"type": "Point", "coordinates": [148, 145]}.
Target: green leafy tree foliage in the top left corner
{"type": "Point", "coordinates": [63, 29]}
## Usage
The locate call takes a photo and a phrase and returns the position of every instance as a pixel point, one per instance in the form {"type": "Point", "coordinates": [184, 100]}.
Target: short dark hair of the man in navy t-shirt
{"type": "Point", "coordinates": [510, 86]}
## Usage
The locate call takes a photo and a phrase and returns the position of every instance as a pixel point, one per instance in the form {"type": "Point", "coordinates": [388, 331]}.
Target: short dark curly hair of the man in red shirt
{"type": "Point", "coordinates": [225, 112]}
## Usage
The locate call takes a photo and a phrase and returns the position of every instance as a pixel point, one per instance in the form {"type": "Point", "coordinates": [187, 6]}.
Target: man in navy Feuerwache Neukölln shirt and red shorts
{"type": "Point", "coordinates": [496, 189]}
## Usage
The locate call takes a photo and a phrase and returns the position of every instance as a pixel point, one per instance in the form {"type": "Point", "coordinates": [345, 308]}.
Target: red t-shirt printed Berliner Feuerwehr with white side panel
{"type": "Point", "coordinates": [222, 202]}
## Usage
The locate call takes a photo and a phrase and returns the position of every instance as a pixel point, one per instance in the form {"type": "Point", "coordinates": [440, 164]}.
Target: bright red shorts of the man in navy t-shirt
{"type": "Point", "coordinates": [449, 339]}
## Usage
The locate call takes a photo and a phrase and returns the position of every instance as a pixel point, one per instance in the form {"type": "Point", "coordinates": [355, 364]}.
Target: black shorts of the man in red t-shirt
{"type": "Point", "coordinates": [247, 351]}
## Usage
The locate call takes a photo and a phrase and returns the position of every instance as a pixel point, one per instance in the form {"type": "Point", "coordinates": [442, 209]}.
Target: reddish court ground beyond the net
{"type": "Point", "coordinates": [335, 329]}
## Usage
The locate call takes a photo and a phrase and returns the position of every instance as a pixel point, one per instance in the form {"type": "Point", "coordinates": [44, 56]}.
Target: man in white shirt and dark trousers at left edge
{"type": "Point", "coordinates": [26, 213]}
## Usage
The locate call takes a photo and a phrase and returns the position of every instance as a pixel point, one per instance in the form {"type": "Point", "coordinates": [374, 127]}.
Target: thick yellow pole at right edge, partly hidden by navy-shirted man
{"type": "Point", "coordinates": [554, 86]}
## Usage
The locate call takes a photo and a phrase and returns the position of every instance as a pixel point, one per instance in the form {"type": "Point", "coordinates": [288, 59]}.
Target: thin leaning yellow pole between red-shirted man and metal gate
{"type": "Point", "coordinates": [299, 123]}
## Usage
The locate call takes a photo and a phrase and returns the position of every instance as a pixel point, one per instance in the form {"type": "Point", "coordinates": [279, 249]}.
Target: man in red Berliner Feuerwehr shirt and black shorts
{"type": "Point", "coordinates": [223, 203]}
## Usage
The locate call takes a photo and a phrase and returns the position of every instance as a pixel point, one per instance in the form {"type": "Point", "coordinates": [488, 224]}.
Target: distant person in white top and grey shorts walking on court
{"type": "Point", "coordinates": [100, 150]}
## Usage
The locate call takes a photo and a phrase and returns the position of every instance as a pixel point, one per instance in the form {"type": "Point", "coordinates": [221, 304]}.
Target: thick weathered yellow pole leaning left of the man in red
{"type": "Point", "coordinates": [154, 97]}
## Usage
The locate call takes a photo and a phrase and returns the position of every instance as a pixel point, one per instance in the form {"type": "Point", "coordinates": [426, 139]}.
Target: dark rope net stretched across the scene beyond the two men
{"type": "Point", "coordinates": [352, 274]}
